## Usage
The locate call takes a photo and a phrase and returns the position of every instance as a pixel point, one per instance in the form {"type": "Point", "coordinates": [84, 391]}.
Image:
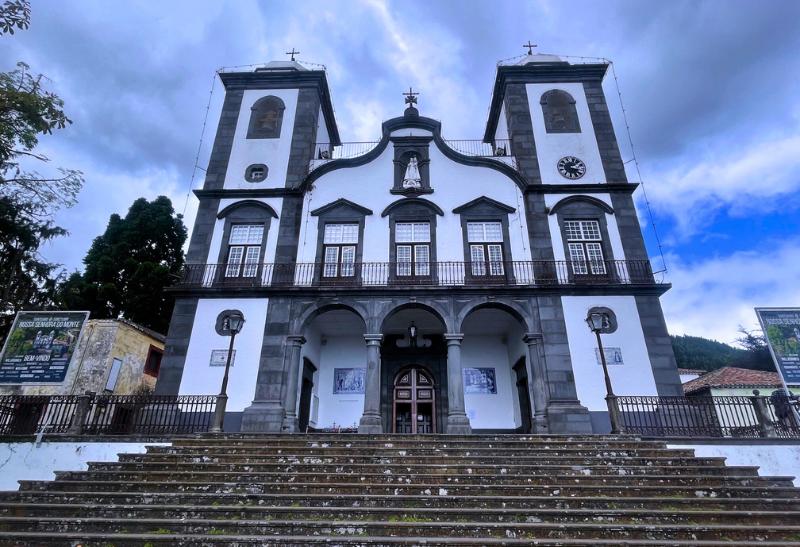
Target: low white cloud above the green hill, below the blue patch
{"type": "Point", "coordinates": [712, 298]}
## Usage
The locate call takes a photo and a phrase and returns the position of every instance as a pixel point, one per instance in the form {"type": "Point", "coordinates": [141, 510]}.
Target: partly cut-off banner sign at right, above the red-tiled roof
{"type": "Point", "coordinates": [781, 328]}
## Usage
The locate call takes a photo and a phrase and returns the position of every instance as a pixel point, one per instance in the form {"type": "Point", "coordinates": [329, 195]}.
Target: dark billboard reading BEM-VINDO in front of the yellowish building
{"type": "Point", "coordinates": [40, 345]}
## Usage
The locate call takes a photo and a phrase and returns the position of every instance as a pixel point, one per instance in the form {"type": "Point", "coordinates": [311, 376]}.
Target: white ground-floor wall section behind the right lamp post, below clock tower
{"type": "Point", "coordinates": [634, 376]}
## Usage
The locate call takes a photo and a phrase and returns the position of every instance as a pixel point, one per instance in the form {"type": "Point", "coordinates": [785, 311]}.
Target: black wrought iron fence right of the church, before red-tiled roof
{"type": "Point", "coordinates": [719, 416]}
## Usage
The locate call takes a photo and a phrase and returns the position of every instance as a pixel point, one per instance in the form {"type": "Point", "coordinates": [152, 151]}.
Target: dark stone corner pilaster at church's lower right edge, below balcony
{"type": "Point", "coordinates": [659, 346]}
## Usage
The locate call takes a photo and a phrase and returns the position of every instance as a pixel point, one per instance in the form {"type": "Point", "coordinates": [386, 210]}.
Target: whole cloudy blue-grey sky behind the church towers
{"type": "Point", "coordinates": [710, 88]}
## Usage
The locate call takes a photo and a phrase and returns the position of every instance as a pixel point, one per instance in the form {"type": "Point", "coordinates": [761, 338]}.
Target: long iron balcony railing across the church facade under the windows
{"type": "Point", "coordinates": [404, 274]}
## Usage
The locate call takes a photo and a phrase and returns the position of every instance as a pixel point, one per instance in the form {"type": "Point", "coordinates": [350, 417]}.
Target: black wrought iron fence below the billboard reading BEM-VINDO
{"type": "Point", "coordinates": [105, 414]}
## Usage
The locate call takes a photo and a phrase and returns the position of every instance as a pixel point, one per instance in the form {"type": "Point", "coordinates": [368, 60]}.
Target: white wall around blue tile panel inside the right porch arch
{"type": "Point", "coordinates": [490, 411]}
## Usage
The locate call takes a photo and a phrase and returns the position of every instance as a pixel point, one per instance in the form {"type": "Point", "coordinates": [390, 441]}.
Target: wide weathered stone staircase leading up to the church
{"type": "Point", "coordinates": [405, 490]}
